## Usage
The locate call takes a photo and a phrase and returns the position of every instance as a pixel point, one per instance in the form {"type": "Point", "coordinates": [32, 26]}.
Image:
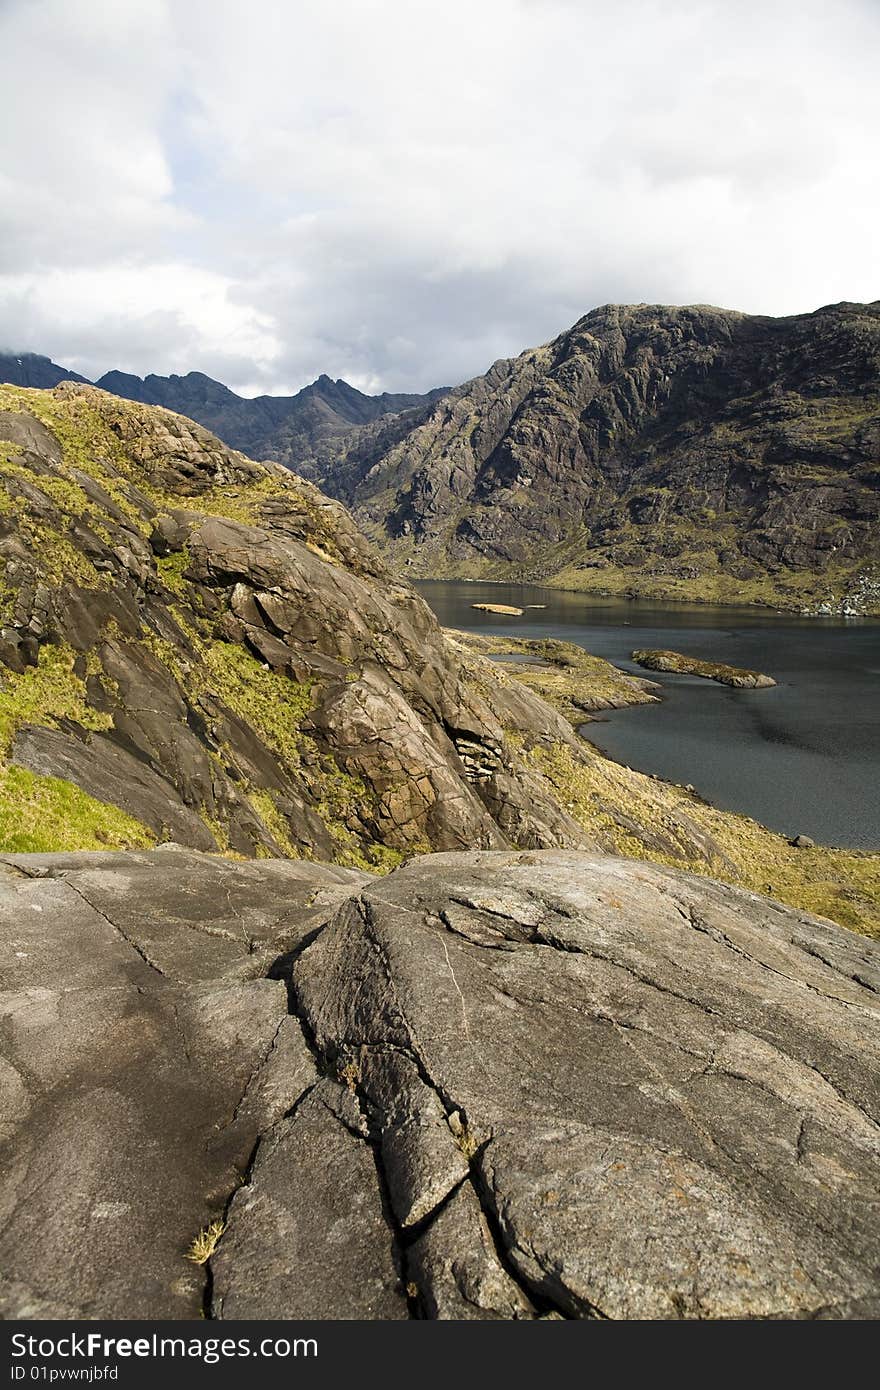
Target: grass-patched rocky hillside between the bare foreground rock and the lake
{"type": "Point", "coordinates": [204, 650]}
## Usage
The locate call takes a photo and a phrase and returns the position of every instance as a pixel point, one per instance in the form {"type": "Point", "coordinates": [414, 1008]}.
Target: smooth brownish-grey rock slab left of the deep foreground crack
{"type": "Point", "coordinates": [140, 1061]}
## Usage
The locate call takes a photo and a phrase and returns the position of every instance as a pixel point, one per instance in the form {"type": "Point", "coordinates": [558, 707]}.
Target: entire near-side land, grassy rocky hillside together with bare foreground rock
{"type": "Point", "coordinates": [263, 1054]}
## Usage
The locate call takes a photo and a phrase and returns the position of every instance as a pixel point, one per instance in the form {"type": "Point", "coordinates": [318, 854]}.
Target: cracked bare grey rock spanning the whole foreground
{"type": "Point", "coordinates": [491, 1085]}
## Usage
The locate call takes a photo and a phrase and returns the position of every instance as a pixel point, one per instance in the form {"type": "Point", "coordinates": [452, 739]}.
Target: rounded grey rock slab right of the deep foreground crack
{"type": "Point", "coordinates": [667, 1089]}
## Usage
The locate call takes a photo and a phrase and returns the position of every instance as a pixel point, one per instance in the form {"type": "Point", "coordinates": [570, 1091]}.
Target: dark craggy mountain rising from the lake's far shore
{"type": "Point", "coordinates": [681, 454]}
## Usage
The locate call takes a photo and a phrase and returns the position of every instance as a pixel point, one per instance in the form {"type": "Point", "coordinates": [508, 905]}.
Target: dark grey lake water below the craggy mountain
{"type": "Point", "coordinates": [803, 758]}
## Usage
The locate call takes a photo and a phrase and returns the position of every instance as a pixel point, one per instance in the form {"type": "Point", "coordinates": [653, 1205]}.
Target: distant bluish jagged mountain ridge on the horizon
{"type": "Point", "coordinates": [305, 432]}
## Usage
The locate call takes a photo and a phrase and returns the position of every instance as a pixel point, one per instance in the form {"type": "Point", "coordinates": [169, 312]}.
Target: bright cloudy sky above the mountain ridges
{"type": "Point", "coordinates": [400, 193]}
